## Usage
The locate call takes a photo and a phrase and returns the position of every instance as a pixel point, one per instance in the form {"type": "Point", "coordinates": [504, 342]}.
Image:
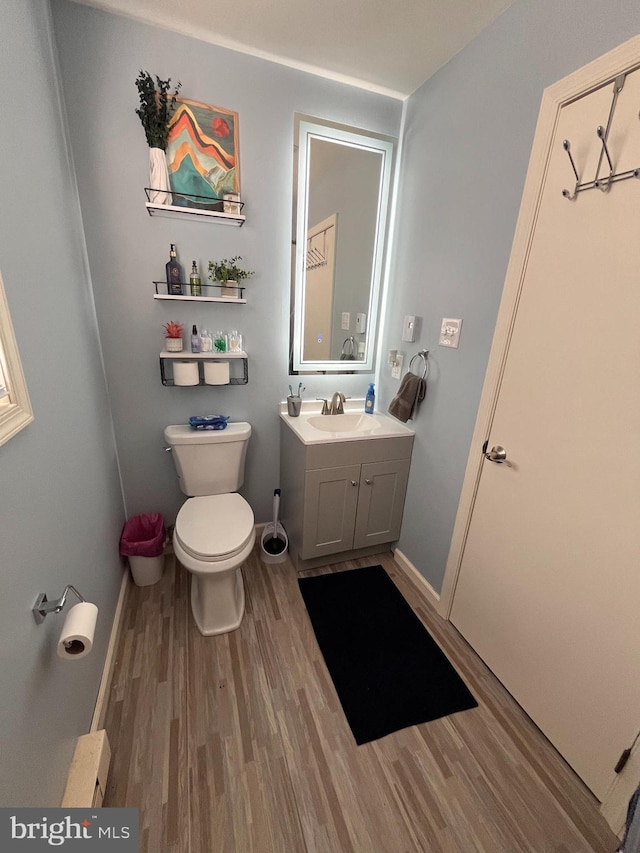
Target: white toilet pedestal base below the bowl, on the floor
{"type": "Point", "coordinates": [217, 602]}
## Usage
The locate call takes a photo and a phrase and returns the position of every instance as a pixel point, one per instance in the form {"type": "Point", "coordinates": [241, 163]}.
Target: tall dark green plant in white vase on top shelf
{"type": "Point", "coordinates": [157, 106]}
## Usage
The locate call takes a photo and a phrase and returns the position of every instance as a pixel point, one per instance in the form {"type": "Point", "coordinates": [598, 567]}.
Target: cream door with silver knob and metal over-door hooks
{"type": "Point", "coordinates": [548, 591]}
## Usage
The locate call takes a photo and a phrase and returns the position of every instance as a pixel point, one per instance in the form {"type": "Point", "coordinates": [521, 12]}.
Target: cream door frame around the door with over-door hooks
{"type": "Point", "coordinates": [605, 69]}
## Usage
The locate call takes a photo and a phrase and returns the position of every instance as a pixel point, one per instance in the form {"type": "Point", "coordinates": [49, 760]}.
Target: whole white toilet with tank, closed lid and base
{"type": "Point", "coordinates": [214, 531]}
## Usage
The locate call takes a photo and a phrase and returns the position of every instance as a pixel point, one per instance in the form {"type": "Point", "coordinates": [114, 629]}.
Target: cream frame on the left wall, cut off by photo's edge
{"type": "Point", "coordinates": [17, 412]}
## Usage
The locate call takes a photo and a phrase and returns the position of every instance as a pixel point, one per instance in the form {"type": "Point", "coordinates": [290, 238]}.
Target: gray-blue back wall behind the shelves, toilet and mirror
{"type": "Point", "coordinates": [100, 57]}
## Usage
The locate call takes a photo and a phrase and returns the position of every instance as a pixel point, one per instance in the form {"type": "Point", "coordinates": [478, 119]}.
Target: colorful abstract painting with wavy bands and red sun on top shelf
{"type": "Point", "coordinates": [202, 154]}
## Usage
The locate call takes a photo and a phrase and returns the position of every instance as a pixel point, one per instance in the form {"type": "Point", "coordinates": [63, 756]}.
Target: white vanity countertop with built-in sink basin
{"type": "Point", "coordinates": [313, 428]}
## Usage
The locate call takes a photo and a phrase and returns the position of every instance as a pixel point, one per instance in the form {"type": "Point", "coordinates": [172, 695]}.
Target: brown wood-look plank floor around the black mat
{"type": "Point", "coordinates": [237, 743]}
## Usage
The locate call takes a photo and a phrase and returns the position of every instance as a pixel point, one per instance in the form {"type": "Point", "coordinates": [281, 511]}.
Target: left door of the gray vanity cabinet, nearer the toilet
{"type": "Point", "coordinates": [330, 502]}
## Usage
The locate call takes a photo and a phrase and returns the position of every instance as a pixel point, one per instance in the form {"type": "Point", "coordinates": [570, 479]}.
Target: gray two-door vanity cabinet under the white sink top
{"type": "Point", "coordinates": [342, 499]}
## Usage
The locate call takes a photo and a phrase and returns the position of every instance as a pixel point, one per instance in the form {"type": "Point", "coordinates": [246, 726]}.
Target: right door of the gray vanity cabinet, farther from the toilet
{"type": "Point", "coordinates": [383, 486]}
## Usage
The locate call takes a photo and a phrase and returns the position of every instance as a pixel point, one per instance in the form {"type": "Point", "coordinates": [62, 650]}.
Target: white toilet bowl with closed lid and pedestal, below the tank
{"type": "Point", "coordinates": [212, 538]}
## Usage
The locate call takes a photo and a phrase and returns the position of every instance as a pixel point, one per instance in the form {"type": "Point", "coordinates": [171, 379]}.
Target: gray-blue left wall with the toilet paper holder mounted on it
{"type": "Point", "coordinates": [61, 508]}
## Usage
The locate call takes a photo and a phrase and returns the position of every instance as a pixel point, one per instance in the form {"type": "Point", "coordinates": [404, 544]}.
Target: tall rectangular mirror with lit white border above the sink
{"type": "Point", "coordinates": [340, 212]}
